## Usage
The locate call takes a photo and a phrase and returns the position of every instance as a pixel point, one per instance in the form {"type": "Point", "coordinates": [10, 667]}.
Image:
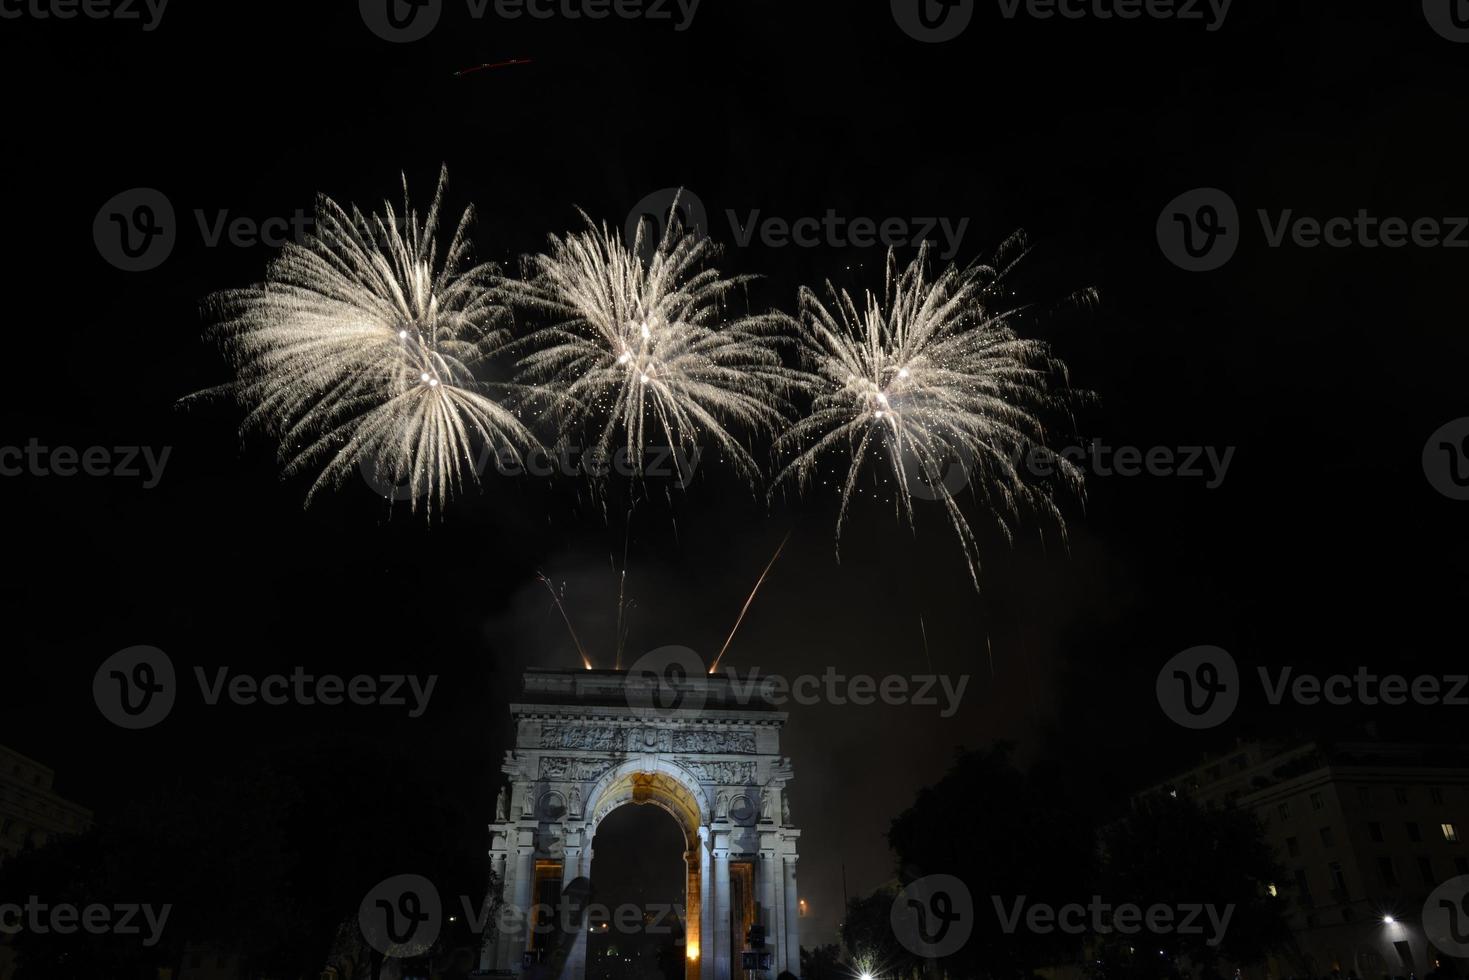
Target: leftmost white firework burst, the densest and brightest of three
{"type": "Point", "coordinates": [358, 352]}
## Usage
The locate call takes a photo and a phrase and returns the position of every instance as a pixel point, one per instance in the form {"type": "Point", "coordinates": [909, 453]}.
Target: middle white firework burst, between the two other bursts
{"type": "Point", "coordinates": [641, 350]}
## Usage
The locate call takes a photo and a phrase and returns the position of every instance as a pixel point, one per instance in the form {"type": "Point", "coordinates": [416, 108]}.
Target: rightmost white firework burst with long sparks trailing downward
{"type": "Point", "coordinates": [935, 386]}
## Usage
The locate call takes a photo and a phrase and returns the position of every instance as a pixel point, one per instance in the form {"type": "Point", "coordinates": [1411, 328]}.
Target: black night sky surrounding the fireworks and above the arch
{"type": "Point", "coordinates": [1326, 370]}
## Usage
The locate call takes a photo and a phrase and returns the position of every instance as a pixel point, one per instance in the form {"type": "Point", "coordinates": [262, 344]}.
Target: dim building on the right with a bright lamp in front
{"type": "Point", "coordinates": [1365, 831]}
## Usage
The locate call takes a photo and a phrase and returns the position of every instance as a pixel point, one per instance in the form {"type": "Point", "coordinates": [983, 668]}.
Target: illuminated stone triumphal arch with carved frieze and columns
{"type": "Point", "coordinates": [701, 747]}
